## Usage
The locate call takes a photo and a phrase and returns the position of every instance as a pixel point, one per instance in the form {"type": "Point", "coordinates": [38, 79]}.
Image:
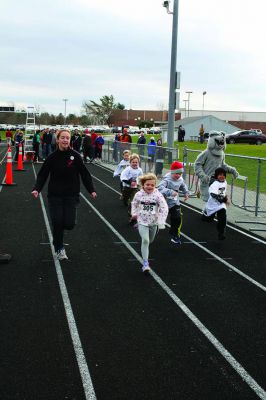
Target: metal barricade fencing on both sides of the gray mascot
{"type": "Point", "coordinates": [248, 191]}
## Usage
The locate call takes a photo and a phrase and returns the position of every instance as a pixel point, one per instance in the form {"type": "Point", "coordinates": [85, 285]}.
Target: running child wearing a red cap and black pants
{"type": "Point", "coordinates": [170, 186]}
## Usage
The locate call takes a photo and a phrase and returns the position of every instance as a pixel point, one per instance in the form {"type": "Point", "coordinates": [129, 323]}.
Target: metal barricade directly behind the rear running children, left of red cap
{"type": "Point", "coordinates": [152, 158]}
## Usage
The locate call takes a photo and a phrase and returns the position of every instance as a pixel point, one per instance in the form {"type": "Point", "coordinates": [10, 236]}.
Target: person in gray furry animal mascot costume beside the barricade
{"type": "Point", "coordinates": [210, 159]}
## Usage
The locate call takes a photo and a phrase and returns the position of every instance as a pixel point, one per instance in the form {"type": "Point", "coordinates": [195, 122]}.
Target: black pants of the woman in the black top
{"type": "Point", "coordinates": [63, 213]}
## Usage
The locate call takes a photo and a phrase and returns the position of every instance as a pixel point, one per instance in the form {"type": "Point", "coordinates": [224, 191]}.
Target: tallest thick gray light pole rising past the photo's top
{"type": "Point", "coordinates": [172, 86]}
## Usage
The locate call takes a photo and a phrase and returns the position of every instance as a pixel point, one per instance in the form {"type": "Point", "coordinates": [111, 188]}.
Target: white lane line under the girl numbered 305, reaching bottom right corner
{"type": "Point", "coordinates": [260, 392]}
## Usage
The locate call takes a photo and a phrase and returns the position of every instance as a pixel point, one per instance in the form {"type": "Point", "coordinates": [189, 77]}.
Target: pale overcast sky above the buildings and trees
{"type": "Point", "coordinates": [84, 49]}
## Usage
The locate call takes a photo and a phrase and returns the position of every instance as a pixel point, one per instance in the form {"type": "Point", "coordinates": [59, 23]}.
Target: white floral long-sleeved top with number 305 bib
{"type": "Point", "coordinates": [151, 209]}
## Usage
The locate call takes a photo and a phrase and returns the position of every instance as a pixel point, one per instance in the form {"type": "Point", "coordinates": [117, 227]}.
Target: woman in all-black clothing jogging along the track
{"type": "Point", "coordinates": [65, 166]}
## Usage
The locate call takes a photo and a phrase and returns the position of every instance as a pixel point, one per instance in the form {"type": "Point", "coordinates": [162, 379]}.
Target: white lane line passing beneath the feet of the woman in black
{"type": "Point", "coordinates": [81, 360]}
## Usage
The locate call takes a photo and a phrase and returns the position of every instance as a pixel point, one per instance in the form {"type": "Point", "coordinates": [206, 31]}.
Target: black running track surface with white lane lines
{"type": "Point", "coordinates": [96, 327]}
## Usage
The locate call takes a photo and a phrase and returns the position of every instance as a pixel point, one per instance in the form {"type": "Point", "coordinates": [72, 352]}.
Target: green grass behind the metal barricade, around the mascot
{"type": "Point", "coordinates": [245, 167]}
